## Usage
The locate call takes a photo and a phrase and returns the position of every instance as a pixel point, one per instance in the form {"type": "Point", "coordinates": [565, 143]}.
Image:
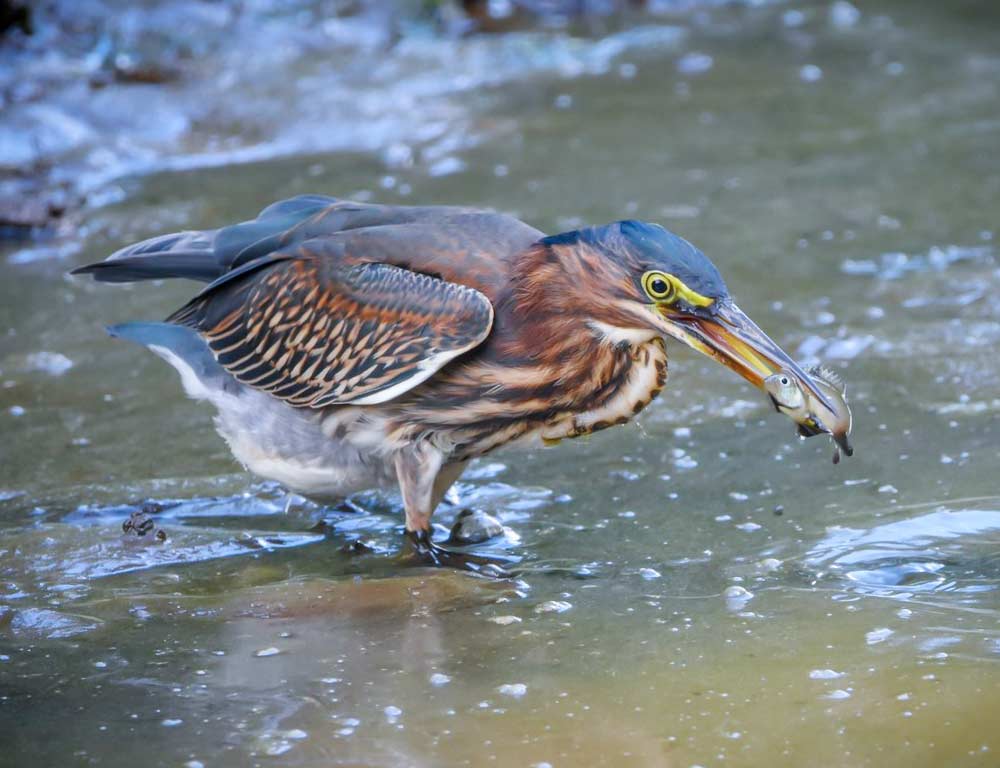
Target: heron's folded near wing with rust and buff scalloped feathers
{"type": "Point", "coordinates": [316, 330]}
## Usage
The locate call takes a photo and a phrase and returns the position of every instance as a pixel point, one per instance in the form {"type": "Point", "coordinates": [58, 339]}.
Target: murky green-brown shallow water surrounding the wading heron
{"type": "Point", "coordinates": [700, 588]}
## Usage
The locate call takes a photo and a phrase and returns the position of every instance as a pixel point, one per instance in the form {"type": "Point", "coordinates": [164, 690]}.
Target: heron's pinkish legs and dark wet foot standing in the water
{"type": "Point", "coordinates": [424, 478]}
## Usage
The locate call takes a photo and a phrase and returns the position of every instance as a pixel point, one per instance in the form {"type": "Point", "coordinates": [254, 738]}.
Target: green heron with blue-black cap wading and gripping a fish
{"type": "Point", "coordinates": [349, 346]}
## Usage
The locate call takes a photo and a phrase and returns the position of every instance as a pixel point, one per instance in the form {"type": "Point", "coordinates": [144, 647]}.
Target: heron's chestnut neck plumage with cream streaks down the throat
{"type": "Point", "coordinates": [559, 345]}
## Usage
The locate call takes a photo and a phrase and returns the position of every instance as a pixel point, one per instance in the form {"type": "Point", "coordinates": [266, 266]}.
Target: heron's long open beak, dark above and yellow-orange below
{"type": "Point", "coordinates": [727, 335]}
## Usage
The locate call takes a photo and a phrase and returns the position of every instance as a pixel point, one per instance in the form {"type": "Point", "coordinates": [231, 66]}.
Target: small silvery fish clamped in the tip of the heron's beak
{"type": "Point", "coordinates": [808, 412]}
